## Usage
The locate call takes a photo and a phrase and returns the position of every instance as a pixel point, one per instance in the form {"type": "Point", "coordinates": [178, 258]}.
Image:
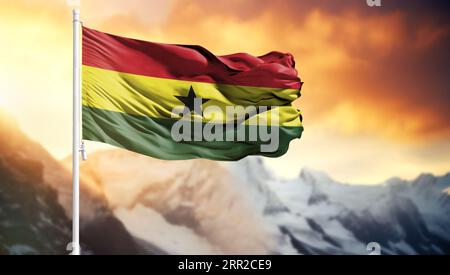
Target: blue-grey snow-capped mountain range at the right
{"type": "Point", "coordinates": [317, 215]}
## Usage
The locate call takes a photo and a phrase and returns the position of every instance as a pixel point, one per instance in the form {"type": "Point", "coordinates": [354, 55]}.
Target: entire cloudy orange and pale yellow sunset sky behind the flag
{"type": "Point", "coordinates": [376, 93]}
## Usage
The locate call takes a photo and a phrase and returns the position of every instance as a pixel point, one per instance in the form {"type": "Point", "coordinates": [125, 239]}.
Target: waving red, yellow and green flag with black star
{"type": "Point", "coordinates": [182, 102]}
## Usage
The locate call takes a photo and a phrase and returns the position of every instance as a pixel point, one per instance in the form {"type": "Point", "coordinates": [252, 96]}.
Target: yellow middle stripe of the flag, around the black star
{"type": "Point", "coordinates": [155, 97]}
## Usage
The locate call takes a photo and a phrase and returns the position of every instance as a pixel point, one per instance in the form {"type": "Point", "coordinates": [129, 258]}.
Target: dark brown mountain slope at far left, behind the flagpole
{"type": "Point", "coordinates": [35, 199]}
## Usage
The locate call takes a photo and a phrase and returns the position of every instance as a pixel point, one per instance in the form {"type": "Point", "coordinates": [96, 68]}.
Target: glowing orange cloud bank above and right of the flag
{"type": "Point", "coordinates": [371, 62]}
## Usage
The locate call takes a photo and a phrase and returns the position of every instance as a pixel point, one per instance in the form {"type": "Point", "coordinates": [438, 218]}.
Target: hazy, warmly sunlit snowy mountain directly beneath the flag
{"type": "Point", "coordinates": [192, 207]}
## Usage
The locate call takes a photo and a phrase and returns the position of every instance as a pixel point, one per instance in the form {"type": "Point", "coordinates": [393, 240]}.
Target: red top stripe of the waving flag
{"type": "Point", "coordinates": [192, 63]}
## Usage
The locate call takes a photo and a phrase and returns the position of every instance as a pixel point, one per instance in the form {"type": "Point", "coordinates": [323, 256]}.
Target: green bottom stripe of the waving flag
{"type": "Point", "coordinates": [152, 137]}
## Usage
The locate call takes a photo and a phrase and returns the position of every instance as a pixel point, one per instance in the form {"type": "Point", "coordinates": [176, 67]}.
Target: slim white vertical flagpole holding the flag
{"type": "Point", "coordinates": [76, 135]}
